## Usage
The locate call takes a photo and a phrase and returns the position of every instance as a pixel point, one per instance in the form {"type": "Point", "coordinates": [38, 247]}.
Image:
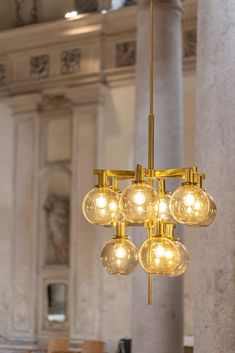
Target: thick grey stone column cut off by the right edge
{"type": "Point", "coordinates": [215, 151]}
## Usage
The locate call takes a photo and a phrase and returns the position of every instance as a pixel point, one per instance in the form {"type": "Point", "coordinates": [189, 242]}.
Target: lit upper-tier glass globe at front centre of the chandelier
{"type": "Point", "coordinates": [137, 203]}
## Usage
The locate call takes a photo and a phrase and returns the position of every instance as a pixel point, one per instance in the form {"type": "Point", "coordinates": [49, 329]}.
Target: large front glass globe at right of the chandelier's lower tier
{"type": "Point", "coordinates": [159, 255]}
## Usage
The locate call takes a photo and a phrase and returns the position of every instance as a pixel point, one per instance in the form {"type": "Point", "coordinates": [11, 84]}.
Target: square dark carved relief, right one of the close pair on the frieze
{"type": "Point", "coordinates": [70, 61]}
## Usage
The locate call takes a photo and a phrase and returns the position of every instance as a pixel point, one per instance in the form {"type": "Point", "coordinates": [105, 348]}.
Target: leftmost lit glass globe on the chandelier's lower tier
{"type": "Point", "coordinates": [119, 257]}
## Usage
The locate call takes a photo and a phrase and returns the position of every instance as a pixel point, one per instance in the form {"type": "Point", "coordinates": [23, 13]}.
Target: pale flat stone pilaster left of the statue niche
{"type": "Point", "coordinates": [24, 234]}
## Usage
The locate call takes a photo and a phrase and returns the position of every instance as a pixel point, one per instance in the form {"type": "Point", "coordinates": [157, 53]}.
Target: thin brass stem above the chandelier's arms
{"type": "Point", "coordinates": [151, 113]}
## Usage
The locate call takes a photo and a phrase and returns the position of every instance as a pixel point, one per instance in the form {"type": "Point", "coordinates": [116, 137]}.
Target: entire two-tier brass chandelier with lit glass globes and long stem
{"type": "Point", "coordinates": [147, 203]}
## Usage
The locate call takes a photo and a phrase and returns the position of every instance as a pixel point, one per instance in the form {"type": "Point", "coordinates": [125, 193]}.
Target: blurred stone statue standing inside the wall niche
{"type": "Point", "coordinates": [57, 213]}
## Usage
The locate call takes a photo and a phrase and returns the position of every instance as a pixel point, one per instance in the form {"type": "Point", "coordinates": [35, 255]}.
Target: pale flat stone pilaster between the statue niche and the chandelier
{"type": "Point", "coordinates": [84, 248]}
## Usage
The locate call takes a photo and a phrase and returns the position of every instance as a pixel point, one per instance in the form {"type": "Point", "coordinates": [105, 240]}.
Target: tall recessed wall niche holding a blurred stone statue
{"type": "Point", "coordinates": [54, 233]}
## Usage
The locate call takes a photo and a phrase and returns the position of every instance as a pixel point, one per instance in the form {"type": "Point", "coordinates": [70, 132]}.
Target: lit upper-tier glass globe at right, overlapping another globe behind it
{"type": "Point", "coordinates": [189, 205]}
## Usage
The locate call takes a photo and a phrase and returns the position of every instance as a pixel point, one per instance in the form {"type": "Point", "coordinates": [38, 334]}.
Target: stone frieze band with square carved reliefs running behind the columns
{"type": "Point", "coordinates": [90, 50]}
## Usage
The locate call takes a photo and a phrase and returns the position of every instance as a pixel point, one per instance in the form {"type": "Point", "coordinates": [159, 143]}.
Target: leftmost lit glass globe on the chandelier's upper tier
{"type": "Point", "coordinates": [101, 206]}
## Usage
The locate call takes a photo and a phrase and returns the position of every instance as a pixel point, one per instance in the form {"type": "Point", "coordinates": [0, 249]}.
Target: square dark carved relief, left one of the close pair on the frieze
{"type": "Point", "coordinates": [39, 66]}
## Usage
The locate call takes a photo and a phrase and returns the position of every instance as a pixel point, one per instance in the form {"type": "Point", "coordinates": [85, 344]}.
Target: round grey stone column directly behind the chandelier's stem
{"type": "Point", "coordinates": [159, 328]}
